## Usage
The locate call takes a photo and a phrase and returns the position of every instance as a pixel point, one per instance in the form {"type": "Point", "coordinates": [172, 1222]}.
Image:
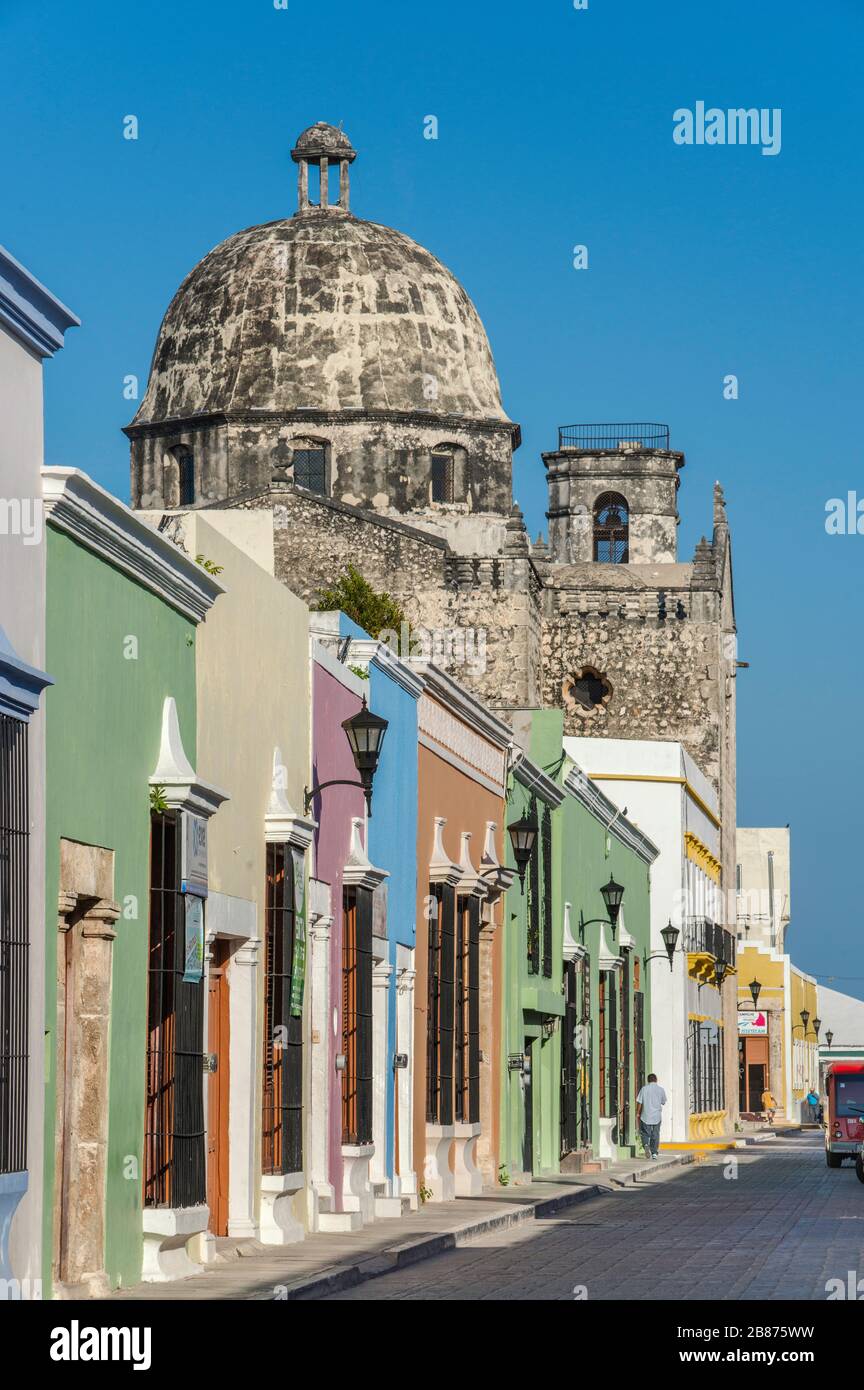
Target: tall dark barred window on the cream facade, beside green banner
{"type": "Point", "coordinates": [283, 1095]}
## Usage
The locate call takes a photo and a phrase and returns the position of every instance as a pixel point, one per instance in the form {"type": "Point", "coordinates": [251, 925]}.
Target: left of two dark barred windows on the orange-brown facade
{"type": "Point", "coordinates": [441, 1006]}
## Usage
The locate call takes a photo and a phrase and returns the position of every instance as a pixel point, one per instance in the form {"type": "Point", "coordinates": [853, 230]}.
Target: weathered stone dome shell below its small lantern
{"type": "Point", "coordinates": [322, 312]}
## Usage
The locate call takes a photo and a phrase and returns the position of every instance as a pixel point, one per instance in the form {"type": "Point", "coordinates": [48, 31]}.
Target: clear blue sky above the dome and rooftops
{"type": "Point", "coordinates": [555, 130]}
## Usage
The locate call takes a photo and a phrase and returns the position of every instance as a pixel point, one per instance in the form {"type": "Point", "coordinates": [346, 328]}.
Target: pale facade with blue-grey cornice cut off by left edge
{"type": "Point", "coordinates": [33, 327]}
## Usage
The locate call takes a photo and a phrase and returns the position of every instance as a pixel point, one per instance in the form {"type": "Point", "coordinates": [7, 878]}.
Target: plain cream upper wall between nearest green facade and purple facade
{"type": "Point", "coordinates": [252, 697]}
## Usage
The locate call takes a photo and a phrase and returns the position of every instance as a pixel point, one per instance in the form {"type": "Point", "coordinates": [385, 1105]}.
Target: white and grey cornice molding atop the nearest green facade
{"type": "Point", "coordinates": [80, 508]}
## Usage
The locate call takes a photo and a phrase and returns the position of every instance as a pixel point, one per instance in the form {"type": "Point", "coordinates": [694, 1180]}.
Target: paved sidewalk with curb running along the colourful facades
{"type": "Point", "coordinates": [326, 1264]}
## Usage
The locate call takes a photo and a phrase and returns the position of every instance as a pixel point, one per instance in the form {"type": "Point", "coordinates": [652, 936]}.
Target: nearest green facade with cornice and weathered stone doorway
{"type": "Point", "coordinates": [123, 608]}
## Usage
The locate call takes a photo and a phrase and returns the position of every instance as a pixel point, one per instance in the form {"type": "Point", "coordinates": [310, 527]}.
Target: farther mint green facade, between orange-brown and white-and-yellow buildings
{"type": "Point", "coordinates": [576, 1040]}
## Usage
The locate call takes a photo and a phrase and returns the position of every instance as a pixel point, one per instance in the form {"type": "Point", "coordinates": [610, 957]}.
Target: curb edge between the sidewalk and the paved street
{"type": "Point", "coordinates": [415, 1252]}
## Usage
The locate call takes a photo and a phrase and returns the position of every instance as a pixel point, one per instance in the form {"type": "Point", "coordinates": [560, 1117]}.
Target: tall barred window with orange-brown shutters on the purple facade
{"type": "Point", "coordinates": [358, 1017]}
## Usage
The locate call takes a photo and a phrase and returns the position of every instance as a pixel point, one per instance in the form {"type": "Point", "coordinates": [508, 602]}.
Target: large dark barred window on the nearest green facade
{"type": "Point", "coordinates": [174, 1125]}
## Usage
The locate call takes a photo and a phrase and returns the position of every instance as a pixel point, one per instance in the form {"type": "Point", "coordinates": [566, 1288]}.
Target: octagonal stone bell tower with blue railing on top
{"type": "Point", "coordinates": [613, 496]}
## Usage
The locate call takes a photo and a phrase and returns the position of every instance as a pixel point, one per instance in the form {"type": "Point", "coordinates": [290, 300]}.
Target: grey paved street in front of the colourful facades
{"type": "Point", "coordinates": [780, 1229]}
